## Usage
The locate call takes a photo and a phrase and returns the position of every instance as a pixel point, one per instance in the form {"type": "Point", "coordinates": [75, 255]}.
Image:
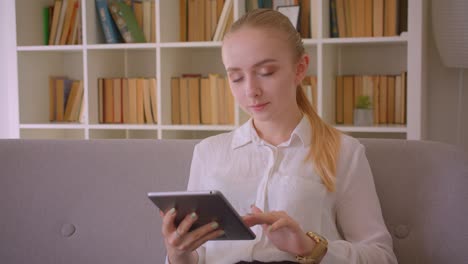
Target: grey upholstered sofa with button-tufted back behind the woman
{"type": "Point", "coordinates": [85, 201]}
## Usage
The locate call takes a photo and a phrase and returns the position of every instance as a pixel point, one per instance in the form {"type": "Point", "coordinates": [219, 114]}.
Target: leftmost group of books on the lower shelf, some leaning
{"type": "Point", "coordinates": [65, 99]}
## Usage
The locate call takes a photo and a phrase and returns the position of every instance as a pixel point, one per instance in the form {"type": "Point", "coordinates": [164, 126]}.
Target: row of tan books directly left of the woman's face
{"type": "Point", "coordinates": [201, 100]}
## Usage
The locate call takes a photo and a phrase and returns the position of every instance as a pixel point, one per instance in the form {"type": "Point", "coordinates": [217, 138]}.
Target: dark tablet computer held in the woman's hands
{"type": "Point", "coordinates": [210, 206]}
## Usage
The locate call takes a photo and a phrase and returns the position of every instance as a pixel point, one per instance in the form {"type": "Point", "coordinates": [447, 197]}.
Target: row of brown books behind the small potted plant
{"type": "Point", "coordinates": [387, 94]}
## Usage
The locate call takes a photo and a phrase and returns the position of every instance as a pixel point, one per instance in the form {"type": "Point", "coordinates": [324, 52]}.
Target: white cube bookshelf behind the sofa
{"type": "Point", "coordinates": [168, 57]}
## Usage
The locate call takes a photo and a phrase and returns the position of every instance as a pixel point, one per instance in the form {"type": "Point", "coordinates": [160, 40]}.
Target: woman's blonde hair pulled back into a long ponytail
{"type": "Point", "coordinates": [326, 139]}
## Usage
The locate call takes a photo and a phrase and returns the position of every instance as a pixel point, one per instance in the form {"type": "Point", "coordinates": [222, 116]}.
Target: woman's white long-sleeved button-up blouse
{"type": "Point", "coordinates": [248, 170]}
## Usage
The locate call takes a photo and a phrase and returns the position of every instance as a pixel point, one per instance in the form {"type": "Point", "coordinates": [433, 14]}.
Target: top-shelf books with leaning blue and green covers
{"type": "Point", "coordinates": [128, 21]}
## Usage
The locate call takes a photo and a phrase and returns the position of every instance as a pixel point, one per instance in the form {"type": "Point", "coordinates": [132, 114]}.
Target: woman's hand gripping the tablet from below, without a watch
{"type": "Point", "coordinates": [180, 243]}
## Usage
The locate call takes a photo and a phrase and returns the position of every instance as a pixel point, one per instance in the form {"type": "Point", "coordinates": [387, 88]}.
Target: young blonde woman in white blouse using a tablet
{"type": "Point", "coordinates": [305, 189]}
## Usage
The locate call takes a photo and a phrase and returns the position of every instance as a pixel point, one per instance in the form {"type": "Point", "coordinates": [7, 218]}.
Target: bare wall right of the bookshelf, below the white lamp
{"type": "Point", "coordinates": [444, 98]}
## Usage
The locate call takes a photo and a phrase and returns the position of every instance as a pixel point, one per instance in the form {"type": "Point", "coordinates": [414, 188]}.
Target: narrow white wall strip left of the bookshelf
{"type": "Point", "coordinates": [9, 119]}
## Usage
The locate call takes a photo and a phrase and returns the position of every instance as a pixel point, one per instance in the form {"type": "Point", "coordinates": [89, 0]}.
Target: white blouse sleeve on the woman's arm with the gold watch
{"type": "Point", "coordinates": [359, 218]}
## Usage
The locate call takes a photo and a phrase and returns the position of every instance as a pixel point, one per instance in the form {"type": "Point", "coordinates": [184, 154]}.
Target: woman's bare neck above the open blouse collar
{"type": "Point", "coordinates": [278, 131]}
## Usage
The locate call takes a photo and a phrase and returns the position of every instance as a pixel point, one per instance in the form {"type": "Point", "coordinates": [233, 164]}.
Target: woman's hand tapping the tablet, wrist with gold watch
{"type": "Point", "coordinates": [283, 231]}
